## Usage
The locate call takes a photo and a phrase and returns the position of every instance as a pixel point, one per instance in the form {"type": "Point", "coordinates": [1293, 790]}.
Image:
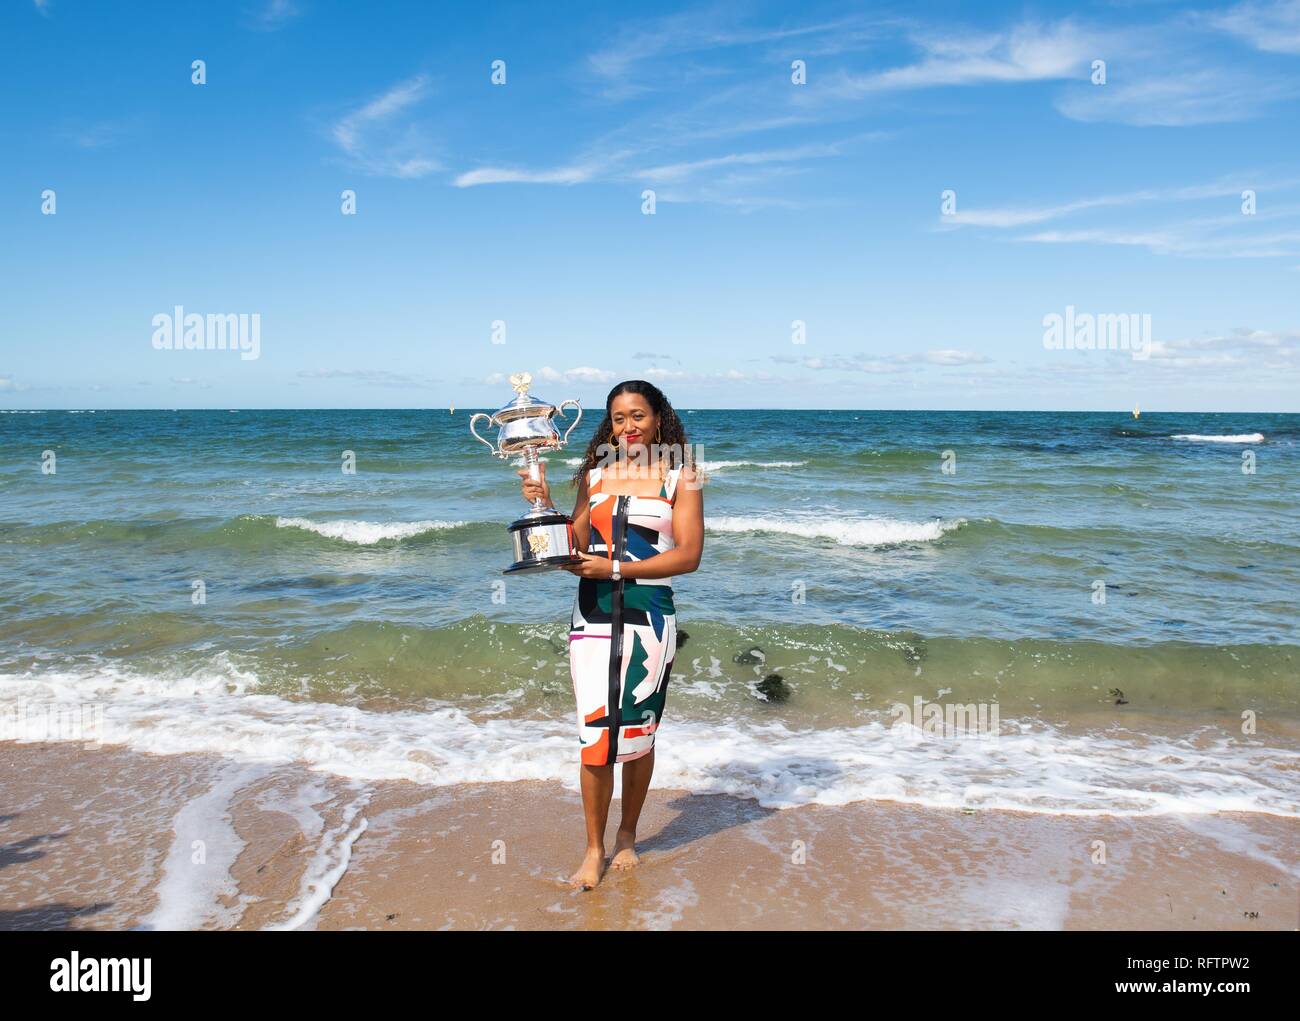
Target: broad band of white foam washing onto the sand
{"type": "Point", "coordinates": [1033, 767]}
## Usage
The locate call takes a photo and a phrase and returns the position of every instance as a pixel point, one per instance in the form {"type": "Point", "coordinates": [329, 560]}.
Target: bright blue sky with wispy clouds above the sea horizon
{"type": "Point", "coordinates": [522, 204]}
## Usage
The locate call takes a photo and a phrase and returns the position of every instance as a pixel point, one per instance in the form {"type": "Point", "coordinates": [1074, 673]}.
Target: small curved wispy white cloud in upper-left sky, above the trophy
{"type": "Point", "coordinates": [378, 142]}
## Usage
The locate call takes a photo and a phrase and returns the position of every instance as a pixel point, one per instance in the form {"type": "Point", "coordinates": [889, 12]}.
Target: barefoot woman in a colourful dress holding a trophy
{"type": "Point", "coordinates": [639, 510]}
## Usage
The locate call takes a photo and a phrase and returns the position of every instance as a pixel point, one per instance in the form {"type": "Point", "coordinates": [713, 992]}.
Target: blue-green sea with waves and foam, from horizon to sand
{"type": "Point", "coordinates": [1035, 612]}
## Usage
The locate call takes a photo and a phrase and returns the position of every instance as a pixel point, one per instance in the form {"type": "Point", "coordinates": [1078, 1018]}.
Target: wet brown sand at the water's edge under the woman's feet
{"type": "Point", "coordinates": [106, 838]}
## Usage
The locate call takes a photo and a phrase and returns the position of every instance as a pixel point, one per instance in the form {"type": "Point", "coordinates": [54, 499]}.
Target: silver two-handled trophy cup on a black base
{"type": "Point", "coordinates": [544, 538]}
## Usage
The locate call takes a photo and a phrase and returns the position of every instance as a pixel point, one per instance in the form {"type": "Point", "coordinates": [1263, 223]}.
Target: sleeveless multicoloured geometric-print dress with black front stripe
{"type": "Point", "coordinates": [625, 634]}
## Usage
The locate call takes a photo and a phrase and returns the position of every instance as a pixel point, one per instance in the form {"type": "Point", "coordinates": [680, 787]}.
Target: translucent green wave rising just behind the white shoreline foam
{"type": "Point", "coordinates": [833, 669]}
